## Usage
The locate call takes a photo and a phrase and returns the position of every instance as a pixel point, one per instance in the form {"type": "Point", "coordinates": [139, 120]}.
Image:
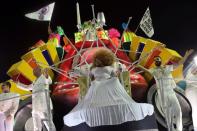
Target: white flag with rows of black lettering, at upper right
{"type": "Point", "coordinates": [146, 24]}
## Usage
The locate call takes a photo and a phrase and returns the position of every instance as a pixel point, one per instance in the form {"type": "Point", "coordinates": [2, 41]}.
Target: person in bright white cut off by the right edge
{"type": "Point", "coordinates": [191, 93]}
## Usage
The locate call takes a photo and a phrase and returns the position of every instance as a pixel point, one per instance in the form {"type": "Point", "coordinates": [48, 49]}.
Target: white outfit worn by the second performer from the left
{"type": "Point", "coordinates": [40, 101]}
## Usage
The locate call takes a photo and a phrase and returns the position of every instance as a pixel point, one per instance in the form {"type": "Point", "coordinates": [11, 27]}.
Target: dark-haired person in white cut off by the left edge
{"type": "Point", "coordinates": [8, 106]}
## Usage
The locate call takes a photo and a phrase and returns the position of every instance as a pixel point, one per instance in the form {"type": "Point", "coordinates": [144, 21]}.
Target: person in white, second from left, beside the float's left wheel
{"type": "Point", "coordinates": [40, 100]}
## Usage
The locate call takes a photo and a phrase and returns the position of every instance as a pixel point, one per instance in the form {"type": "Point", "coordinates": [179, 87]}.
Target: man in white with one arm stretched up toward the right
{"type": "Point", "coordinates": [166, 95]}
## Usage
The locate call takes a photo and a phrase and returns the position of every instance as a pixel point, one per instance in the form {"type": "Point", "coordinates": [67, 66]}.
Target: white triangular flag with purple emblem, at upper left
{"type": "Point", "coordinates": [43, 14]}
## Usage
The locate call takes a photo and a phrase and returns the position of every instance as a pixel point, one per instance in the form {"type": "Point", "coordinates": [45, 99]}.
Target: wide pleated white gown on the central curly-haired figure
{"type": "Point", "coordinates": [106, 103]}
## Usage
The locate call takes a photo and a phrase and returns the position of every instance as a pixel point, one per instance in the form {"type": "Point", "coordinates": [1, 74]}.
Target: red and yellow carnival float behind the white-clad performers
{"type": "Point", "coordinates": [69, 62]}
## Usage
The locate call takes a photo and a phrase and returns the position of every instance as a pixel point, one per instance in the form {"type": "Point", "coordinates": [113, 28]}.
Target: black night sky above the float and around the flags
{"type": "Point", "coordinates": [174, 23]}
